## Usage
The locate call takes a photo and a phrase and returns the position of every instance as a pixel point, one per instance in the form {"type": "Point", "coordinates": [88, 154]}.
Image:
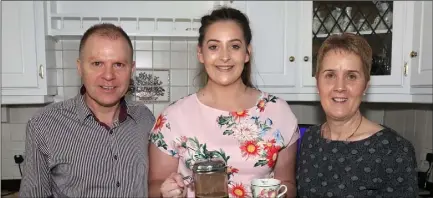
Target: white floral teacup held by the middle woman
{"type": "Point", "coordinates": [267, 188]}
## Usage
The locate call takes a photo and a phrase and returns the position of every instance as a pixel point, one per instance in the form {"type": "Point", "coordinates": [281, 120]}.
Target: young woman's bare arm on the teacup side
{"type": "Point", "coordinates": [285, 169]}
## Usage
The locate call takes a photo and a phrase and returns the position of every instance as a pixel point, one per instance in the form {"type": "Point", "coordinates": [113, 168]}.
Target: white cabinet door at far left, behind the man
{"type": "Point", "coordinates": [19, 58]}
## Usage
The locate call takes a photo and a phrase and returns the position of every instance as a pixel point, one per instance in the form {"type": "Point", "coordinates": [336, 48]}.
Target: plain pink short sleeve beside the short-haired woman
{"type": "Point", "coordinates": [288, 123]}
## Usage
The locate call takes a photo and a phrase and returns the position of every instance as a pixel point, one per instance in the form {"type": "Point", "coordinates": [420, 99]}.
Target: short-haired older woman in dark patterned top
{"type": "Point", "coordinates": [349, 155]}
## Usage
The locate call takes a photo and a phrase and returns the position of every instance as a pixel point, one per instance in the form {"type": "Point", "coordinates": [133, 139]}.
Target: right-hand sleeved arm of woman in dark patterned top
{"type": "Point", "coordinates": [401, 174]}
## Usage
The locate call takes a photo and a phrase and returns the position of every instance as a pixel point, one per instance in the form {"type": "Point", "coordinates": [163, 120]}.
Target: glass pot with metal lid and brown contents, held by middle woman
{"type": "Point", "coordinates": [210, 178]}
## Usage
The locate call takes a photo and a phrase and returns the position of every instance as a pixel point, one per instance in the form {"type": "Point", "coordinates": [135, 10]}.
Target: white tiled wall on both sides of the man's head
{"type": "Point", "coordinates": [177, 58]}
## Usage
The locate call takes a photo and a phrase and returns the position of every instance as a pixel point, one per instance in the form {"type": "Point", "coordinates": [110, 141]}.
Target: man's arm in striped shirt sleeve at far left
{"type": "Point", "coordinates": [35, 180]}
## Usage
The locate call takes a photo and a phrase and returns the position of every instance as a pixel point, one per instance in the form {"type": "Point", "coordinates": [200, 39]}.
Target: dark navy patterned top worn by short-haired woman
{"type": "Point", "coordinates": [382, 165]}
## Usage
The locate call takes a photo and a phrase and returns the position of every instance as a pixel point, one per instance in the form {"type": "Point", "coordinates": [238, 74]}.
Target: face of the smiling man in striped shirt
{"type": "Point", "coordinates": [105, 67]}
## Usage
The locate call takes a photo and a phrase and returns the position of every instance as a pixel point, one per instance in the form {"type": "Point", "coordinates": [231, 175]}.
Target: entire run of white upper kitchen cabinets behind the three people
{"type": "Point", "coordinates": [286, 37]}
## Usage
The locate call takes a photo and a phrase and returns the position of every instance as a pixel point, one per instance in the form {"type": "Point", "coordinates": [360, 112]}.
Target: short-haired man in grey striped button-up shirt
{"type": "Point", "coordinates": [93, 145]}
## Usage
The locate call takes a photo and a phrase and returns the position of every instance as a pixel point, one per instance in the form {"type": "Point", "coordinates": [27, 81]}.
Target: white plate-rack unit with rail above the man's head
{"type": "Point", "coordinates": [137, 18]}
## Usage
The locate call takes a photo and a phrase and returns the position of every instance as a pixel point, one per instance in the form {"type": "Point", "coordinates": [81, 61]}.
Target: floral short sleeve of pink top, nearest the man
{"type": "Point", "coordinates": [162, 135]}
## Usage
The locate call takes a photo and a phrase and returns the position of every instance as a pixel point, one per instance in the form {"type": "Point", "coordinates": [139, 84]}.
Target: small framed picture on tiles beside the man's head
{"type": "Point", "coordinates": [150, 85]}
